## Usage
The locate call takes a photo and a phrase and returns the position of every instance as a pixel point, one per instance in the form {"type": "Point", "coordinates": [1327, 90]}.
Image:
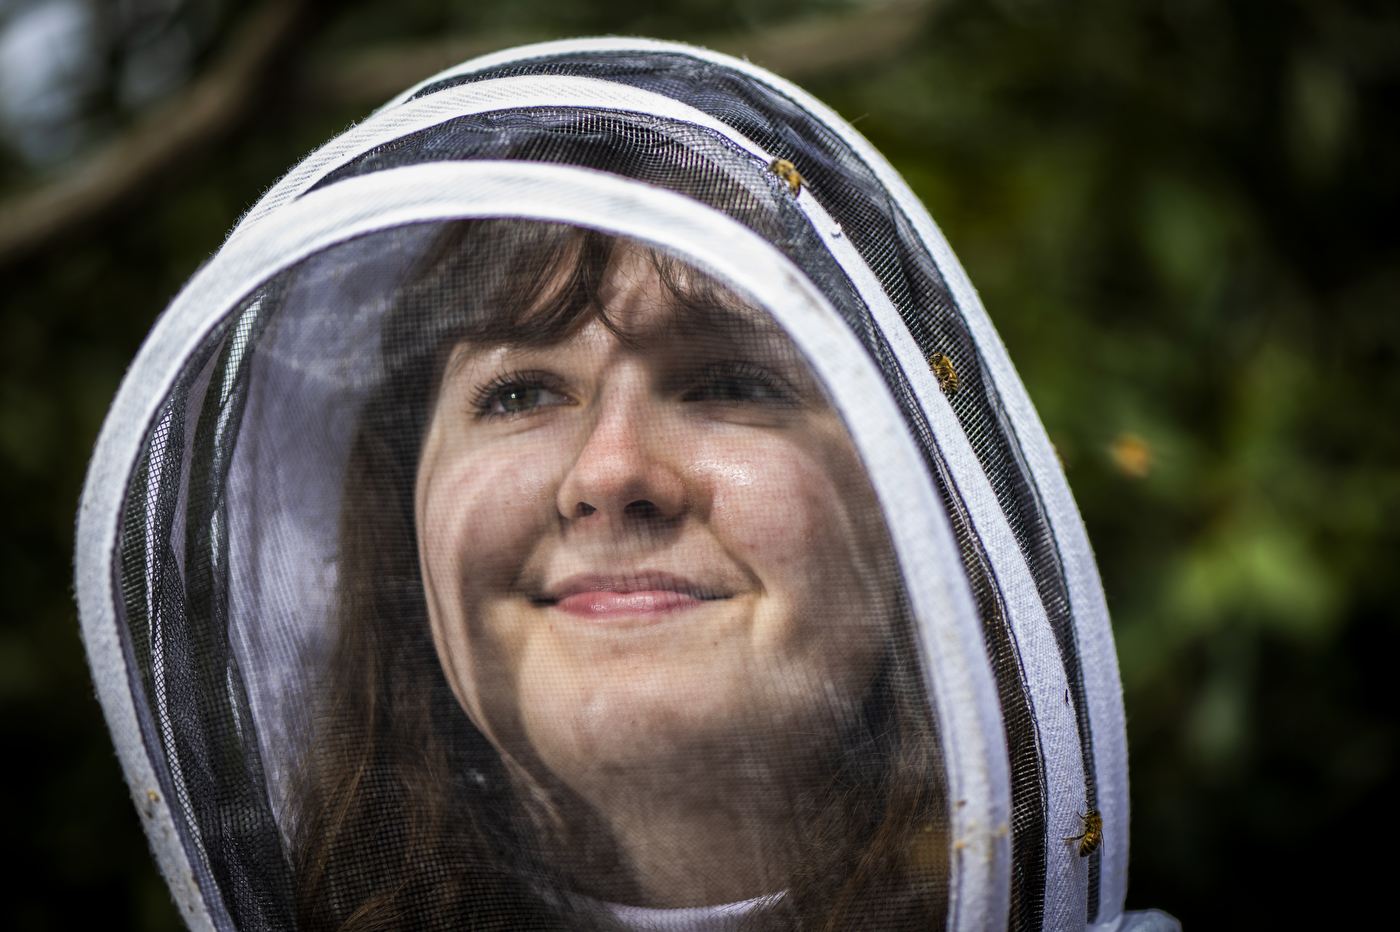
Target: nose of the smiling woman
{"type": "Point", "coordinates": [626, 468]}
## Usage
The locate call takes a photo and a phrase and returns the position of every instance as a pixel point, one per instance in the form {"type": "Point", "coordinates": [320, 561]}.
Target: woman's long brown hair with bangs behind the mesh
{"type": "Point", "coordinates": [404, 814]}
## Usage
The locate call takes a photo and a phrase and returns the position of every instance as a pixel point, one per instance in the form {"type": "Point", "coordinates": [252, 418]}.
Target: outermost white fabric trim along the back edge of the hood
{"type": "Point", "coordinates": [1093, 628]}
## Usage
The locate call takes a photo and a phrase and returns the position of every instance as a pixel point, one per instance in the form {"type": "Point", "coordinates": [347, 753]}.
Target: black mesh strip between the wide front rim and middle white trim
{"type": "Point", "coordinates": [699, 164]}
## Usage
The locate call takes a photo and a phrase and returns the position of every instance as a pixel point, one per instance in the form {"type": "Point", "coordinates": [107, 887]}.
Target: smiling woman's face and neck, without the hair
{"type": "Point", "coordinates": [659, 583]}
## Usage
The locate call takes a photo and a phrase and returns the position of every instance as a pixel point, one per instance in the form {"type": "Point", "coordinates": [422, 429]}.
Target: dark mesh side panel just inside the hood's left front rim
{"type": "Point", "coordinates": [173, 574]}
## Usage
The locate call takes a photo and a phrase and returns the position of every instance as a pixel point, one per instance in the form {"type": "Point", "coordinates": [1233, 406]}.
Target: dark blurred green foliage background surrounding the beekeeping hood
{"type": "Point", "coordinates": [1182, 216]}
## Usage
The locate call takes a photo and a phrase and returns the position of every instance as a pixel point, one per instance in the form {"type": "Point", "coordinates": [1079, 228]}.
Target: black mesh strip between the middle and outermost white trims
{"type": "Point", "coordinates": [883, 234]}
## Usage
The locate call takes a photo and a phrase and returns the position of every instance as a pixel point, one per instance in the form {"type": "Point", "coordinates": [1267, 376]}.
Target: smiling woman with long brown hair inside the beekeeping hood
{"type": "Point", "coordinates": [656, 581]}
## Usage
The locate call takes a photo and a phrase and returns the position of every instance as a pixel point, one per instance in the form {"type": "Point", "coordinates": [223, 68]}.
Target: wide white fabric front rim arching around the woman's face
{"type": "Point", "coordinates": [960, 677]}
